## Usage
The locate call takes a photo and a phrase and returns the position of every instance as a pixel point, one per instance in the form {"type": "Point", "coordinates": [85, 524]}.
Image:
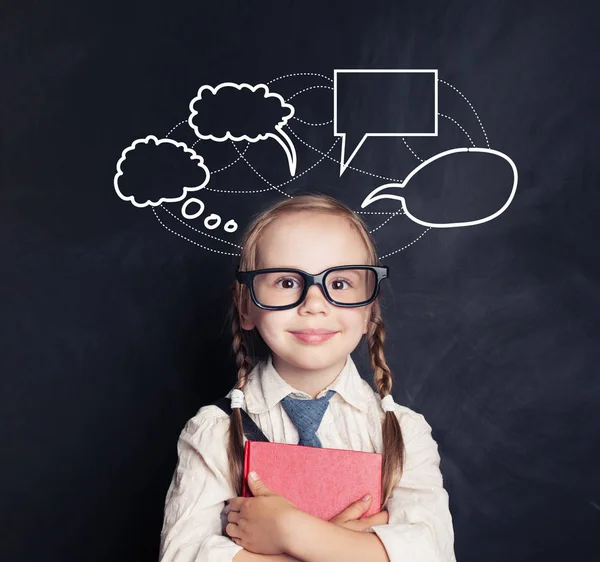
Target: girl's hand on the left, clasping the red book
{"type": "Point", "coordinates": [259, 524]}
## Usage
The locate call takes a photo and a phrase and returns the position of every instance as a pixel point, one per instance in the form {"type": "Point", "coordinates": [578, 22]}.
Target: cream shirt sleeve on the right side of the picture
{"type": "Point", "coordinates": [420, 524]}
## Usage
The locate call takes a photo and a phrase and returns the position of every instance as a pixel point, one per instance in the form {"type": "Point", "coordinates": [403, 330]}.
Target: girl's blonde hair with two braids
{"type": "Point", "coordinates": [393, 444]}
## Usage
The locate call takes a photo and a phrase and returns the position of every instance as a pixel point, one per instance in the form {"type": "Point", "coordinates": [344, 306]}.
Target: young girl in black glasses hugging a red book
{"type": "Point", "coordinates": [310, 325]}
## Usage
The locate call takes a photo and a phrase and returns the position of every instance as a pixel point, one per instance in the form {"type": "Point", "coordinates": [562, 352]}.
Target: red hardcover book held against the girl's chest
{"type": "Point", "coordinates": [319, 481]}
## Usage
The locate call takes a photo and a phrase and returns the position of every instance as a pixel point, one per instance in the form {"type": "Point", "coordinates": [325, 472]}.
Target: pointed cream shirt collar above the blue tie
{"type": "Point", "coordinates": [265, 387]}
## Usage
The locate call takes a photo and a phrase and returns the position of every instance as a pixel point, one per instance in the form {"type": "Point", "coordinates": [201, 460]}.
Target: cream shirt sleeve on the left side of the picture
{"type": "Point", "coordinates": [194, 516]}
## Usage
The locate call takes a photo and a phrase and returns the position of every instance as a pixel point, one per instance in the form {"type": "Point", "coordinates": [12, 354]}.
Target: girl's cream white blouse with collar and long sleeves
{"type": "Point", "coordinates": [420, 525]}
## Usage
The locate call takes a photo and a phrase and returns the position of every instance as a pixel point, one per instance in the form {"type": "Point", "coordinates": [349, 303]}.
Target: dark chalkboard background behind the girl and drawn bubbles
{"type": "Point", "coordinates": [115, 329]}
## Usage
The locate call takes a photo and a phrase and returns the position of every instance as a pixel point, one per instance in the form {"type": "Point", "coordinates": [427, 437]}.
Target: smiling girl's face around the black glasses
{"type": "Point", "coordinates": [312, 242]}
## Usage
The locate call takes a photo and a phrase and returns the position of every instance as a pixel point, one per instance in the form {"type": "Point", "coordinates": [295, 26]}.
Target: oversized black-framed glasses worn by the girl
{"type": "Point", "coordinates": [284, 288]}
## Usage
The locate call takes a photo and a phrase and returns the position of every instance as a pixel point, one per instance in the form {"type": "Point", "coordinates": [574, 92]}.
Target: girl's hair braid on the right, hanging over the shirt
{"type": "Point", "coordinates": [393, 443]}
